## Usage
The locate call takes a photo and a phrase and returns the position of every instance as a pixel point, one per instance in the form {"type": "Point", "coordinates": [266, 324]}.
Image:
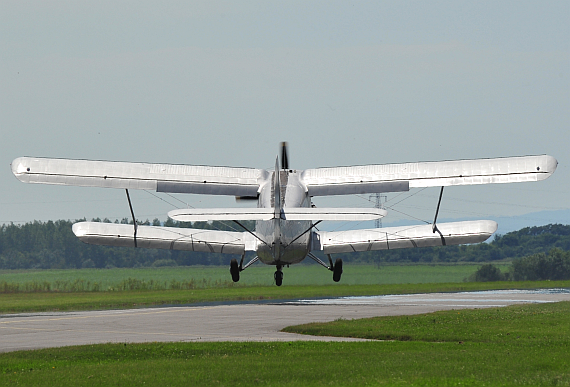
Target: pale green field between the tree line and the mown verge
{"type": "Point", "coordinates": [218, 276]}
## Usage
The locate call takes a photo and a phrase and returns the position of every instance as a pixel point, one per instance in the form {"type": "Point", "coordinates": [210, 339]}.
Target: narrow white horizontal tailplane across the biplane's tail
{"type": "Point", "coordinates": [291, 213]}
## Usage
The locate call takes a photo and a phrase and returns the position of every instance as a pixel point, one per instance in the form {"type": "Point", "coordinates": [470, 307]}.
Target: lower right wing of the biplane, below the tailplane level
{"type": "Point", "coordinates": [455, 233]}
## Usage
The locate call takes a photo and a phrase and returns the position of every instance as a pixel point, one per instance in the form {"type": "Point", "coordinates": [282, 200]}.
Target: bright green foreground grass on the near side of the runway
{"type": "Point", "coordinates": [512, 346]}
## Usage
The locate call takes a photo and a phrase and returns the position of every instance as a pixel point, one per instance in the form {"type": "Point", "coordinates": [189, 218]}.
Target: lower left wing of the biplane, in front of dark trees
{"type": "Point", "coordinates": [168, 238]}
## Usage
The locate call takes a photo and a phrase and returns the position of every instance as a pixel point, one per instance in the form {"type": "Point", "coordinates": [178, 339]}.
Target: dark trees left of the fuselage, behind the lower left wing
{"type": "Point", "coordinates": [52, 245]}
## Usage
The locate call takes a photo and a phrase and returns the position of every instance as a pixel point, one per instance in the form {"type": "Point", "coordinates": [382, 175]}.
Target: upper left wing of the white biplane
{"type": "Point", "coordinates": [157, 177]}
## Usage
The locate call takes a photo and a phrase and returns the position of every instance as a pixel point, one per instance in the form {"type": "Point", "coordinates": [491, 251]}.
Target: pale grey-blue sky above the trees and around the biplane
{"type": "Point", "coordinates": [224, 82]}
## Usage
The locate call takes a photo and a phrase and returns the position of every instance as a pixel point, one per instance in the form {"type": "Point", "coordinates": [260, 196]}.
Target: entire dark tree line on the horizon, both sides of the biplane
{"type": "Point", "coordinates": [52, 245]}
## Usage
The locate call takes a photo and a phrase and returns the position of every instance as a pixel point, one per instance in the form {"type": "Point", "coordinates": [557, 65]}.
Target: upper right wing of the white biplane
{"type": "Point", "coordinates": [402, 177]}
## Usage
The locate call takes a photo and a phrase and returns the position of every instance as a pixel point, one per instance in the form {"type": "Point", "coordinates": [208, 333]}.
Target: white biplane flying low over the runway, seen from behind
{"type": "Point", "coordinates": [285, 218]}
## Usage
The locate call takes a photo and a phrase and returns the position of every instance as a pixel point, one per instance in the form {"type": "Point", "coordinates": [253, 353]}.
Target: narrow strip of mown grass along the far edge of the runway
{"type": "Point", "coordinates": [53, 301]}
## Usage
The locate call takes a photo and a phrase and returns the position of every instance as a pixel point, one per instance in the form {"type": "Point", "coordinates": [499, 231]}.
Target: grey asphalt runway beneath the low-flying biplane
{"type": "Point", "coordinates": [236, 321]}
